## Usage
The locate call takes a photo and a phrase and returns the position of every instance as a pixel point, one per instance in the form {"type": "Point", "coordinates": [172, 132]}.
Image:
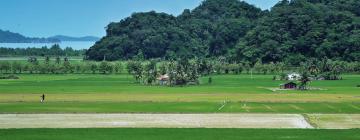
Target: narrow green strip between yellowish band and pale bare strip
{"type": "Point", "coordinates": [176, 107]}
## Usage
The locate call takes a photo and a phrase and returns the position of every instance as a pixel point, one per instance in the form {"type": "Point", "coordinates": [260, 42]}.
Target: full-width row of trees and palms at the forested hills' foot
{"type": "Point", "coordinates": [181, 72]}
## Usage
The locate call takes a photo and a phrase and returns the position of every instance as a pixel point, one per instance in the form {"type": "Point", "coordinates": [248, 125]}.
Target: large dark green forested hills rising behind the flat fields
{"type": "Point", "coordinates": [290, 32]}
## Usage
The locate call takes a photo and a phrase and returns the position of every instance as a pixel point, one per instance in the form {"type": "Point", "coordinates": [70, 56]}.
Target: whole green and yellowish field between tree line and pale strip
{"type": "Point", "coordinates": [119, 94]}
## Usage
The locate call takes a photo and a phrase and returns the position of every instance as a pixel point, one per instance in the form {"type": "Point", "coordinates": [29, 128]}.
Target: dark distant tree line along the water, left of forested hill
{"type": "Point", "coordinates": [54, 50]}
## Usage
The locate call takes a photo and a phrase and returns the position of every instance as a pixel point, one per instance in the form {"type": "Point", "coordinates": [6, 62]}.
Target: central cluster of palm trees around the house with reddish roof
{"type": "Point", "coordinates": [182, 72]}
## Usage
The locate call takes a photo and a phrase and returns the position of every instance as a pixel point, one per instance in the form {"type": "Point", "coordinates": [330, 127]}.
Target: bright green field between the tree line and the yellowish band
{"type": "Point", "coordinates": [99, 84]}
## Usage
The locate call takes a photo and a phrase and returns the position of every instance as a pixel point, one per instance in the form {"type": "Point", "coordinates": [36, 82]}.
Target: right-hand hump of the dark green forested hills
{"type": "Point", "coordinates": [302, 29]}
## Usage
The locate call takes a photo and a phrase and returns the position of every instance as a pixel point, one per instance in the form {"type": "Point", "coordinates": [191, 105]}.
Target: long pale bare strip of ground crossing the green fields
{"type": "Point", "coordinates": [153, 121]}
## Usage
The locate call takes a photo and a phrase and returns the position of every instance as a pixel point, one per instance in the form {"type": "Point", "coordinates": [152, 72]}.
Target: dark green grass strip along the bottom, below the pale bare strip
{"type": "Point", "coordinates": [179, 134]}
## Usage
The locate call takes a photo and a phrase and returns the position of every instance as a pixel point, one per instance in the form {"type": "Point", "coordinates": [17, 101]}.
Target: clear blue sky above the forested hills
{"type": "Point", "coordinates": [44, 18]}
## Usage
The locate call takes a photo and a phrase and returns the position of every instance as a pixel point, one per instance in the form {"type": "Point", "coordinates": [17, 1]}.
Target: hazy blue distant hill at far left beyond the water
{"type": "Point", "coordinates": [10, 37]}
